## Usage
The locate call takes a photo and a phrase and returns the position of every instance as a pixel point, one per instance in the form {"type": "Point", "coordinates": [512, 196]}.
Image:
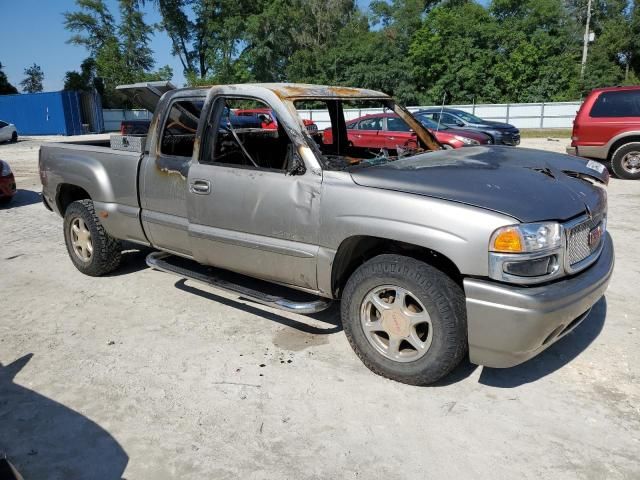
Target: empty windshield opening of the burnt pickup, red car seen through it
{"type": "Point", "coordinates": [350, 133]}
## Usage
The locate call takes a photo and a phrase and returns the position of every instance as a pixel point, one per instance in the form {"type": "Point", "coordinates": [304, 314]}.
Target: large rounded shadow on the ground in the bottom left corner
{"type": "Point", "coordinates": [45, 439]}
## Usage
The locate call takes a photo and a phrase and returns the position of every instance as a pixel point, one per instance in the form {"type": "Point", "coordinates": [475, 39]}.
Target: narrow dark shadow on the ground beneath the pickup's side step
{"type": "Point", "coordinates": [330, 316]}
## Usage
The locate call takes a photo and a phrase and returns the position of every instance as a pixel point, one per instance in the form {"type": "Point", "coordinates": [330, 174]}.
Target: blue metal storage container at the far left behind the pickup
{"type": "Point", "coordinates": [49, 113]}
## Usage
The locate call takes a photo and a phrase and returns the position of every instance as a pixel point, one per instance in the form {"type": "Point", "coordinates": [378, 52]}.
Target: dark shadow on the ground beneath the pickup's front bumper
{"type": "Point", "coordinates": [554, 358]}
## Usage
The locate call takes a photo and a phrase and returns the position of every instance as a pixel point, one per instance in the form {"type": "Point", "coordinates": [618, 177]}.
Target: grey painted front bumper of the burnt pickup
{"type": "Point", "coordinates": [509, 325]}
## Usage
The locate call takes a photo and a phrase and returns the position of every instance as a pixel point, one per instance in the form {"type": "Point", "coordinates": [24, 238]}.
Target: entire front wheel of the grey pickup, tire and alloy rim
{"type": "Point", "coordinates": [405, 319]}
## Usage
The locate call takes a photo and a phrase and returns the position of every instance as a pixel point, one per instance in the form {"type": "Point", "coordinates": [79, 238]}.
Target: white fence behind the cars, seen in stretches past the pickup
{"type": "Point", "coordinates": [522, 115]}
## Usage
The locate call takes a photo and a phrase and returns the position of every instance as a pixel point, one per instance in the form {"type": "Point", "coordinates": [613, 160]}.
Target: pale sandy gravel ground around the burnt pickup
{"type": "Point", "coordinates": [142, 376]}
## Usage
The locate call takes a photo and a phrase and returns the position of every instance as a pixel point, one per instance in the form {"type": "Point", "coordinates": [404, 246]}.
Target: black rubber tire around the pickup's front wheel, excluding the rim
{"type": "Point", "coordinates": [443, 299]}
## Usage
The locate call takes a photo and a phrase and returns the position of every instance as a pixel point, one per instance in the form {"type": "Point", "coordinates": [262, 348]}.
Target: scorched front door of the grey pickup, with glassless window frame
{"type": "Point", "coordinates": [249, 211]}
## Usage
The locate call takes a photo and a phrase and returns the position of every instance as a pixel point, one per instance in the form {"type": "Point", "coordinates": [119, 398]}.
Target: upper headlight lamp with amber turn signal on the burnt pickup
{"type": "Point", "coordinates": [527, 238]}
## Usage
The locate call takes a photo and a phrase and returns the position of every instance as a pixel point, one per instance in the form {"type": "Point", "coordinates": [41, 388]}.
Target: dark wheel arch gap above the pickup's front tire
{"type": "Point", "coordinates": [356, 250]}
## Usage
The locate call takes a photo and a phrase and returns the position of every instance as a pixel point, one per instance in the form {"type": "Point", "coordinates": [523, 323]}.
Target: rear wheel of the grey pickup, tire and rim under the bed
{"type": "Point", "coordinates": [91, 249]}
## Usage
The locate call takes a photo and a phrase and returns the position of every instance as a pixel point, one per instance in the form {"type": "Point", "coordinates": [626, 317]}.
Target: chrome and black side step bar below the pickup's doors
{"type": "Point", "coordinates": [158, 261]}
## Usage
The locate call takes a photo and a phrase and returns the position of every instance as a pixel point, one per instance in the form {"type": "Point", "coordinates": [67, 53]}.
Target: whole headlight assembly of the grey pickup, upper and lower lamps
{"type": "Point", "coordinates": [526, 253]}
